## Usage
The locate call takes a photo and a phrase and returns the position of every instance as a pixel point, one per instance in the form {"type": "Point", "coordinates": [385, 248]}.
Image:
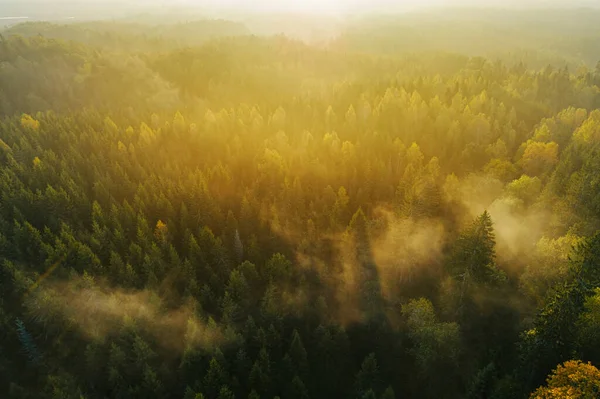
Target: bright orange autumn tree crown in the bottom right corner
{"type": "Point", "coordinates": [573, 380]}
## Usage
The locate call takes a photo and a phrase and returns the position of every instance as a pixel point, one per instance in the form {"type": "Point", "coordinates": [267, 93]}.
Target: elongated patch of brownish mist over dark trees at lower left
{"type": "Point", "coordinates": [97, 311]}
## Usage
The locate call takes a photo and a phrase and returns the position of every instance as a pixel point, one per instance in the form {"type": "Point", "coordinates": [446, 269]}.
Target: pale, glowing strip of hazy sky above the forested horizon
{"type": "Point", "coordinates": [96, 9]}
